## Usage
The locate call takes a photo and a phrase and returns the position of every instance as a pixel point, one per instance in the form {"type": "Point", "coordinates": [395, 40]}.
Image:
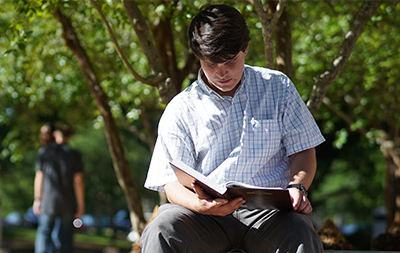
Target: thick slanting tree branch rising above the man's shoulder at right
{"type": "Point", "coordinates": [323, 81]}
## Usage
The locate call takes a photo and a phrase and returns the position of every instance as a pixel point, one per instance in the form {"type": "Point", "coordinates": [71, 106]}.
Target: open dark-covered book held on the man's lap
{"type": "Point", "coordinates": [256, 197]}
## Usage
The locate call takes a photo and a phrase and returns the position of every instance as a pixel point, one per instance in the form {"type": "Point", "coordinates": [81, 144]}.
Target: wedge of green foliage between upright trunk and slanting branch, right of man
{"type": "Point", "coordinates": [317, 31]}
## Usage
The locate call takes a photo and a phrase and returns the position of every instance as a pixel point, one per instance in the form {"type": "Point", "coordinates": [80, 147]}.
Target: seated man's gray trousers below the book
{"type": "Point", "coordinates": [177, 229]}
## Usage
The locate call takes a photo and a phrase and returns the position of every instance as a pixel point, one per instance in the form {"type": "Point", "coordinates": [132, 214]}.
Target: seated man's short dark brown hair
{"type": "Point", "coordinates": [218, 33]}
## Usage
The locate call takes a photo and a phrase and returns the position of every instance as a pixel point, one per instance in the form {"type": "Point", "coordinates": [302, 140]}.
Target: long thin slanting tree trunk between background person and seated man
{"type": "Point", "coordinates": [114, 143]}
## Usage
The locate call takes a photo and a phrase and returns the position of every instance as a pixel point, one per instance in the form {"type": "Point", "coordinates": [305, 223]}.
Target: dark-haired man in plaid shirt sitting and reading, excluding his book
{"type": "Point", "coordinates": [234, 123]}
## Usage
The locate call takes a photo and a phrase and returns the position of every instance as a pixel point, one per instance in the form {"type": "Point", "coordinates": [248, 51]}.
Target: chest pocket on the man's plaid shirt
{"type": "Point", "coordinates": [261, 138]}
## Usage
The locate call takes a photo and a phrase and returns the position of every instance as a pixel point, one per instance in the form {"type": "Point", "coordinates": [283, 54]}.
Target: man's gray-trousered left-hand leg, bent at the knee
{"type": "Point", "coordinates": [182, 230]}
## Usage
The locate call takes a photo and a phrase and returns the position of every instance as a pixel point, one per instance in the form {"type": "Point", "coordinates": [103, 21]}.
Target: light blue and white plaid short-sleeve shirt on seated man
{"type": "Point", "coordinates": [248, 137]}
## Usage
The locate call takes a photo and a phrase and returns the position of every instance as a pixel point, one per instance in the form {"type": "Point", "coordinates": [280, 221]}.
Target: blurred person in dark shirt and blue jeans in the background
{"type": "Point", "coordinates": [58, 193]}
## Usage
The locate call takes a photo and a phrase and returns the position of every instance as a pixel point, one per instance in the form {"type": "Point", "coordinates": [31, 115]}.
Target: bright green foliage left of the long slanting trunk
{"type": "Point", "coordinates": [37, 84]}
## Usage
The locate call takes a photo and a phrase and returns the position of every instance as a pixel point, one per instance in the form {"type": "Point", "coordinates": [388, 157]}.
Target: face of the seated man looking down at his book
{"type": "Point", "coordinates": [224, 77]}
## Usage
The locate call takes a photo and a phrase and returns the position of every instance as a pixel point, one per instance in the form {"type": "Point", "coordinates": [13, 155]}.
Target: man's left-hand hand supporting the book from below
{"type": "Point", "coordinates": [218, 207]}
